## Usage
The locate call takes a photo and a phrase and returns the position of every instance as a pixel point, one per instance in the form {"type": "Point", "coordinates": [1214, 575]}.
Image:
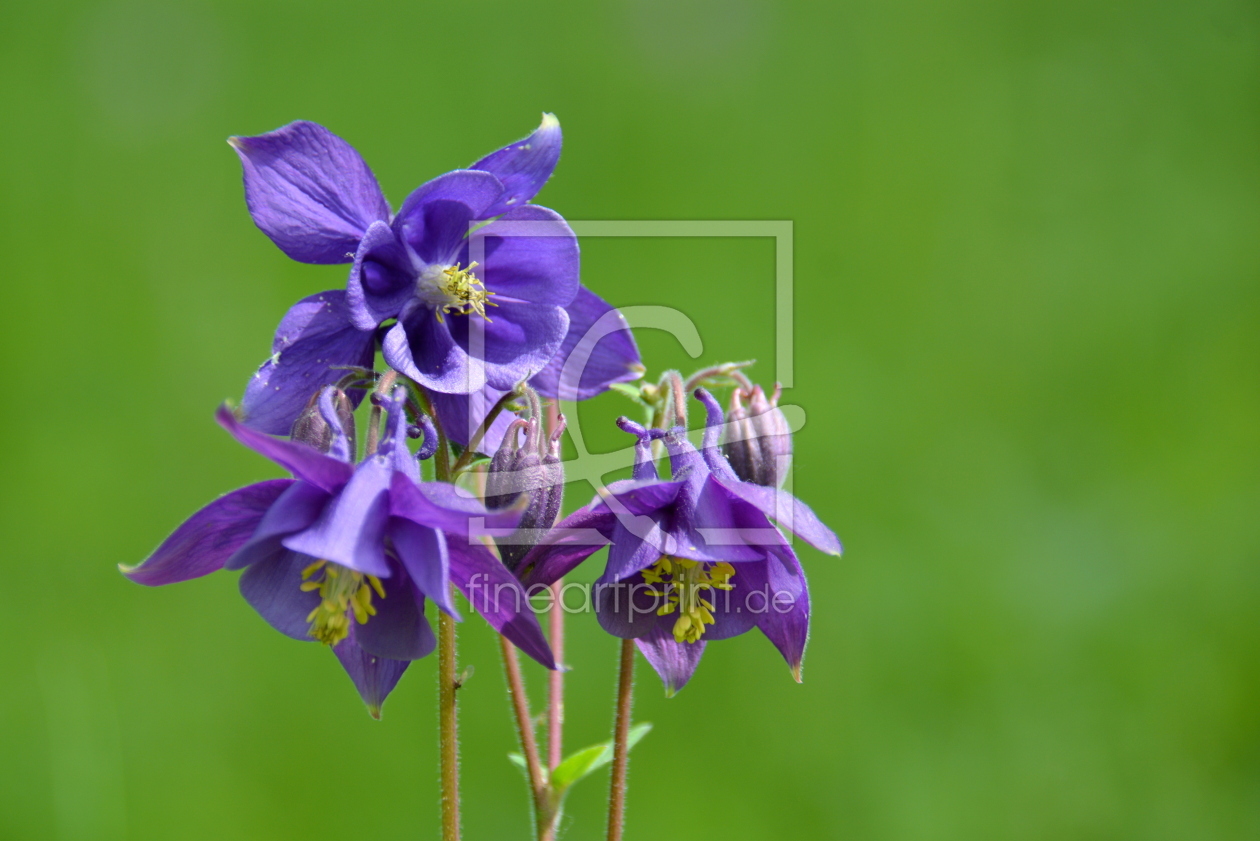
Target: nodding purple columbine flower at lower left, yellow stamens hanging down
{"type": "Point", "coordinates": [348, 554]}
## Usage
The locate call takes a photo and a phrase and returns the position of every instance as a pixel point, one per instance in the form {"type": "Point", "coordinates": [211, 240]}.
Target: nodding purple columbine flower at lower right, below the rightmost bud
{"type": "Point", "coordinates": [692, 559]}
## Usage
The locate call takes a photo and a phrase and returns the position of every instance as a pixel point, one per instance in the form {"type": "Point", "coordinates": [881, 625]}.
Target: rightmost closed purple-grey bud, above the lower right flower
{"type": "Point", "coordinates": [757, 439]}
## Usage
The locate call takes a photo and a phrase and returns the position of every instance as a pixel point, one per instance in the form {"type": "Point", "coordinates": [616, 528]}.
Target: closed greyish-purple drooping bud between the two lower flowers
{"type": "Point", "coordinates": [532, 468]}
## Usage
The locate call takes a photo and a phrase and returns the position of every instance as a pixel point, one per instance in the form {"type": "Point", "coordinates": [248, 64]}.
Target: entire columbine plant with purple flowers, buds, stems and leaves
{"type": "Point", "coordinates": [416, 414]}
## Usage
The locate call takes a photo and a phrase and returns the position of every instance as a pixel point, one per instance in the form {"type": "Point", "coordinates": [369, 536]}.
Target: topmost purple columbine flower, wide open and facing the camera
{"type": "Point", "coordinates": [459, 328]}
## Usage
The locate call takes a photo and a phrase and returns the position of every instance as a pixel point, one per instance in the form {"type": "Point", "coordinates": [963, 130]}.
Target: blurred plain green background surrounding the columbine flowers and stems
{"type": "Point", "coordinates": [1026, 336]}
